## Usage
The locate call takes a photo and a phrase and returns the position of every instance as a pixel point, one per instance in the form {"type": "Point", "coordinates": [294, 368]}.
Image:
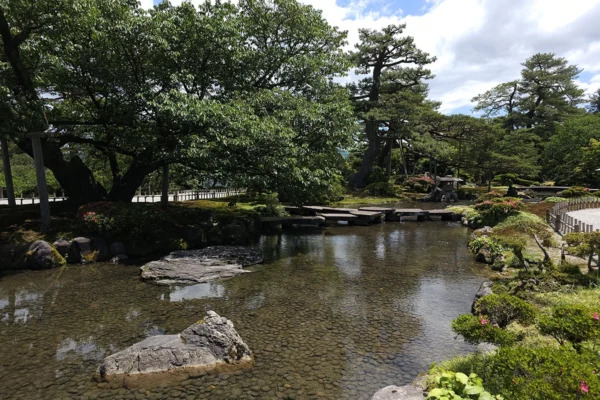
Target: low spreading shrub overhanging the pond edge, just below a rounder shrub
{"type": "Point", "coordinates": [477, 330]}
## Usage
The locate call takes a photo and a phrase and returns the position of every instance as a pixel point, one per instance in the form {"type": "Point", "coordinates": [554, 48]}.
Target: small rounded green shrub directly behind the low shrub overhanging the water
{"type": "Point", "coordinates": [502, 309]}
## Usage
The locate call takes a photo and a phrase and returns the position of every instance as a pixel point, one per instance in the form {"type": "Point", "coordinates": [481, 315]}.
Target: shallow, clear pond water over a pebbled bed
{"type": "Point", "coordinates": [334, 314]}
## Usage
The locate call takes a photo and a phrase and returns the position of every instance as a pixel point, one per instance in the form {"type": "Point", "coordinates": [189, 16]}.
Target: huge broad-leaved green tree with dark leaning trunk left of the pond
{"type": "Point", "coordinates": [240, 92]}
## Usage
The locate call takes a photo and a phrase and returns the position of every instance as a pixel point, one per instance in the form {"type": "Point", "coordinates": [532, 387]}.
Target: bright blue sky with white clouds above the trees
{"type": "Point", "coordinates": [478, 43]}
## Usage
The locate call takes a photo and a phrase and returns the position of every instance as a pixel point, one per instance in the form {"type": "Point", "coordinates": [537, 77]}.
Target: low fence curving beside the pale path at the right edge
{"type": "Point", "coordinates": [563, 223]}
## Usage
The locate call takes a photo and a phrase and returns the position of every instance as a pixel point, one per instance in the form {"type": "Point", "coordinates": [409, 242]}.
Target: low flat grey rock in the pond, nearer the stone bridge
{"type": "Point", "coordinates": [197, 266]}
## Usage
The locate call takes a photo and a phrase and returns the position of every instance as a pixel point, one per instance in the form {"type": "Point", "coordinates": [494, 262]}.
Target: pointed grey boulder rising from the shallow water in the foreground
{"type": "Point", "coordinates": [210, 345]}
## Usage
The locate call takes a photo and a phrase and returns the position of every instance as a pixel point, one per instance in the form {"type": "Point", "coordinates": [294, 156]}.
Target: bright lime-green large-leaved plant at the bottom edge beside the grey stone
{"type": "Point", "coordinates": [458, 386]}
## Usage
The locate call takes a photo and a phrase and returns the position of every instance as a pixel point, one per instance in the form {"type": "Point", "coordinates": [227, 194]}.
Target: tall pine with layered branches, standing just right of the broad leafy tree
{"type": "Point", "coordinates": [391, 95]}
